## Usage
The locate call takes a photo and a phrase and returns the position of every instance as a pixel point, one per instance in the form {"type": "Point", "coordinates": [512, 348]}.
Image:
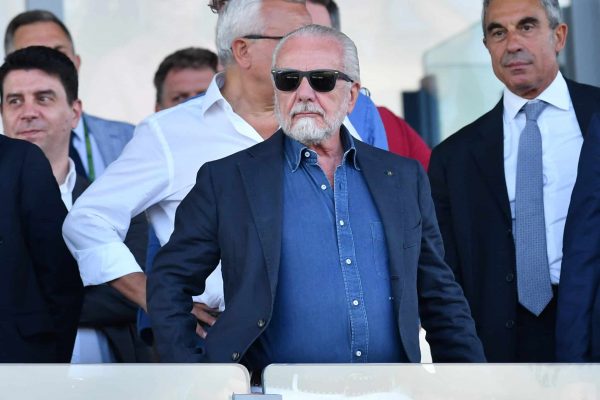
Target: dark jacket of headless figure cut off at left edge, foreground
{"type": "Point", "coordinates": [40, 289]}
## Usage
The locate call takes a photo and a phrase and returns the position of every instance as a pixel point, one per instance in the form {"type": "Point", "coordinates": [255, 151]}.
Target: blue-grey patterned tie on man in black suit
{"type": "Point", "coordinates": [533, 276]}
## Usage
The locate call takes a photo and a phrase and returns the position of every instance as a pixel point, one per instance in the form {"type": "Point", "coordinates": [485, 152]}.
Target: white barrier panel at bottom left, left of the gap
{"type": "Point", "coordinates": [122, 382]}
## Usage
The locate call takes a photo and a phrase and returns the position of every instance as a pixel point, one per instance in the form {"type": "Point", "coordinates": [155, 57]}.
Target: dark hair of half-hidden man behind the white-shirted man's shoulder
{"type": "Point", "coordinates": [191, 57]}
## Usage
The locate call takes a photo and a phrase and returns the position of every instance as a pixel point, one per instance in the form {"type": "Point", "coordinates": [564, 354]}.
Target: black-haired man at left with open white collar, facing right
{"type": "Point", "coordinates": [40, 105]}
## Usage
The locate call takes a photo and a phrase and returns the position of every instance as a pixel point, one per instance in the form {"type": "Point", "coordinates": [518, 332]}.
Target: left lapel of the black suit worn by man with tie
{"type": "Point", "coordinates": [488, 151]}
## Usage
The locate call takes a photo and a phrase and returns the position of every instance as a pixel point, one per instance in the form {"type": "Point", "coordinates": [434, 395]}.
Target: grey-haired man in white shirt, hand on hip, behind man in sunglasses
{"type": "Point", "coordinates": [158, 167]}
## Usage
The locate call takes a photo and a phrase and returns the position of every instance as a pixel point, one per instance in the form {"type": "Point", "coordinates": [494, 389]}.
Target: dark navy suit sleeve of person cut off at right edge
{"type": "Point", "coordinates": [578, 310]}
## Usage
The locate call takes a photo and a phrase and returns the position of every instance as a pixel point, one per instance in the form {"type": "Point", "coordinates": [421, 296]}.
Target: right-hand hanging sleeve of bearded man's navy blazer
{"type": "Point", "coordinates": [443, 309]}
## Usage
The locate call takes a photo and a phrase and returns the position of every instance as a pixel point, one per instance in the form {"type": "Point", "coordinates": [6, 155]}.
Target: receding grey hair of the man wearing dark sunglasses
{"type": "Point", "coordinates": [350, 54]}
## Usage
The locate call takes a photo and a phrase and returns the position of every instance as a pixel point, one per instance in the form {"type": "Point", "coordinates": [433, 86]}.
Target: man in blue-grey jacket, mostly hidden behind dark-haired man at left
{"type": "Point", "coordinates": [96, 142]}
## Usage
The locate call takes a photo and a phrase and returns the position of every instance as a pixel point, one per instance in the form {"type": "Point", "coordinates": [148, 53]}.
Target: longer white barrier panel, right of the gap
{"type": "Point", "coordinates": [434, 381]}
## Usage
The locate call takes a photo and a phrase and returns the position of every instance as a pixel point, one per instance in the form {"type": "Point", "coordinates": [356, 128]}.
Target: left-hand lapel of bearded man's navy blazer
{"type": "Point", "coordinates": [262, 176]}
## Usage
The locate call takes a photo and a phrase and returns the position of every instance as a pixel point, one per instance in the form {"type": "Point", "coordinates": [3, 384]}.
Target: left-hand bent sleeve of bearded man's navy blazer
{"type": "Point", "coordinates": [180, 271]}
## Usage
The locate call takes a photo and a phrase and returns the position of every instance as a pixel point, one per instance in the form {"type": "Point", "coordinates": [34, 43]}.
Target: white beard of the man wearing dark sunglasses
{"type": "Point", "coordinates": [306, 130]}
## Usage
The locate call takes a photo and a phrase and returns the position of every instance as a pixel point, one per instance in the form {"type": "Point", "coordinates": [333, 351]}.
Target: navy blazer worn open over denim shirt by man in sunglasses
{"type": "Point", "coordinates": [234, 214]}
